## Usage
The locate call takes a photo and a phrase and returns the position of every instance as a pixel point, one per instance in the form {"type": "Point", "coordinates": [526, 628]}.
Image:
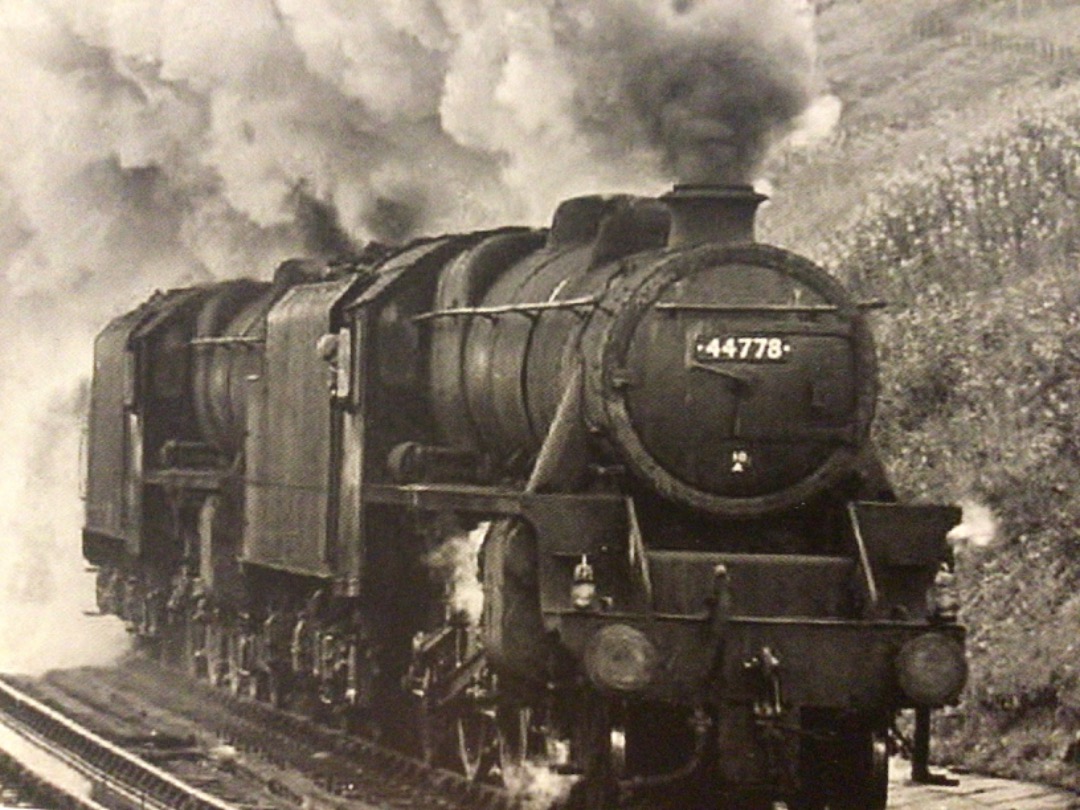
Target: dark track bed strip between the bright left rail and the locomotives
{"type": "Point", "coordinates": [288, 761]}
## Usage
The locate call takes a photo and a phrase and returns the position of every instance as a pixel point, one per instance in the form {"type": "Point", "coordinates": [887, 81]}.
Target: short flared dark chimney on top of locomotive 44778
{"type": "Point", "coordinates": [706, 213]}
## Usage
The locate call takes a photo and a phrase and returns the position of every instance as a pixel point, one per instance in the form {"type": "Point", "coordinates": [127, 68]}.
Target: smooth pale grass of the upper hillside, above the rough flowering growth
{"type": "Point", "coordinates": [916, 78]}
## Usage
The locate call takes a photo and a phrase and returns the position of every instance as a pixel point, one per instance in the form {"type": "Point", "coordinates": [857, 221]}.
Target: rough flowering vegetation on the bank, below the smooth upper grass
{"type": "Point", "coordinates": [980, 260]}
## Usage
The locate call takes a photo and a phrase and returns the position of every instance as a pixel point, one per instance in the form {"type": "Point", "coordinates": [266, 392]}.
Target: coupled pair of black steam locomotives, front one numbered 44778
{"type": "Point", "coordinates": [640, 435]}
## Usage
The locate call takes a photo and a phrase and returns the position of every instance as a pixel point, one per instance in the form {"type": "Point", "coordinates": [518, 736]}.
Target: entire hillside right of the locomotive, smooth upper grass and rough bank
{"type": "Point", "coordinates": [952, 190]}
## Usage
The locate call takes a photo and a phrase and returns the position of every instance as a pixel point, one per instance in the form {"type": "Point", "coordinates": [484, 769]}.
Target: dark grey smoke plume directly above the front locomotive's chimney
{"type": "Point", "coordinates": [707, 86]}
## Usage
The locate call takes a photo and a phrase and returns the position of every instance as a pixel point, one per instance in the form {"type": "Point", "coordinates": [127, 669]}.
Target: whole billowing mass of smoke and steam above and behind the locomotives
{"type": "Point", "coordinates": [157, 143]}
